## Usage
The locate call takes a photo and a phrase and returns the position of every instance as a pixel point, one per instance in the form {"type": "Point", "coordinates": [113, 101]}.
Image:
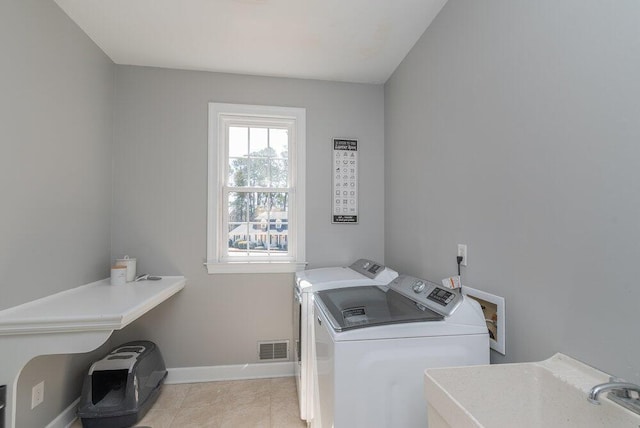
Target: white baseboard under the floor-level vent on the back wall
{"type": "Point", "coordinates": [232, 372]}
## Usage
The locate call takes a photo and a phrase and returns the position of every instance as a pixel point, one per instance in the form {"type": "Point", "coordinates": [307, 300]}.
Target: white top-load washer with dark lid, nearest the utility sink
{"type": "Point", "coordinates": [374, 343]}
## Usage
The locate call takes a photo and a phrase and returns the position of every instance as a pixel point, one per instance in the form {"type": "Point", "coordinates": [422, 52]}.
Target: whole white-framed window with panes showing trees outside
{"type": "Point", "coordinates": [256, 189]}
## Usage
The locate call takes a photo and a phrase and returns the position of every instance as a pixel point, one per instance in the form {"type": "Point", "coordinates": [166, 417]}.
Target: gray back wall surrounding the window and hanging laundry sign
{"type": "Point", "coordinates": [160, 203]}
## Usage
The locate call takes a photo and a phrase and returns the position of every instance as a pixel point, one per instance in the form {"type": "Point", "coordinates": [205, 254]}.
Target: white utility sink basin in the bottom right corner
{"type": "Point", "coordinates": [550, 393]}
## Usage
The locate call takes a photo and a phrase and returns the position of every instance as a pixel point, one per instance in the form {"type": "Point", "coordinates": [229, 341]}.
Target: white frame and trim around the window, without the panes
{"type": "Point", "coordinates": [220, 116]}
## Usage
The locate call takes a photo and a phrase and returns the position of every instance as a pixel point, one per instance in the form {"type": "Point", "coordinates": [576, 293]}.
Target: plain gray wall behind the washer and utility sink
{"type": "Point", "coordinates": [512, 126]}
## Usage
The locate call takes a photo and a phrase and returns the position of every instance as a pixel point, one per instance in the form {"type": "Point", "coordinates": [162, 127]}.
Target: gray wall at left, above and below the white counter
{"type": "Point", "coordinates": [55, 169]}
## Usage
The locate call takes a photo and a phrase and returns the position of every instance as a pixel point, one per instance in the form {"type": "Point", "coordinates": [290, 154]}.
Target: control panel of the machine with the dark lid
{"type": "Point", "coordinates": [427, 294]}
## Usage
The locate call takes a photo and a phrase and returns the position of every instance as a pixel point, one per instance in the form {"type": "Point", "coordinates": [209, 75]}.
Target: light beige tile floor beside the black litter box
{"type": "Point", "coordinates": [264, 403]}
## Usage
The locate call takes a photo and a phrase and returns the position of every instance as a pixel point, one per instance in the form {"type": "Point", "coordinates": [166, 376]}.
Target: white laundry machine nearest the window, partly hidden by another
{"type": "Point", "coordinates": [362, 272]}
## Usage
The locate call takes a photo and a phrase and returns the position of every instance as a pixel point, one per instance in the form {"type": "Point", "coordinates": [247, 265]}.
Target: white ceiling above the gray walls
{"type": "Point", "coordinates": [342, 40]}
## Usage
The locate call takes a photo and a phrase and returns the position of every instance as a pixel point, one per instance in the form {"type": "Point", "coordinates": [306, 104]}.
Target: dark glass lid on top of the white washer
{"type": "Point", "coordinates": [358, 307]}
